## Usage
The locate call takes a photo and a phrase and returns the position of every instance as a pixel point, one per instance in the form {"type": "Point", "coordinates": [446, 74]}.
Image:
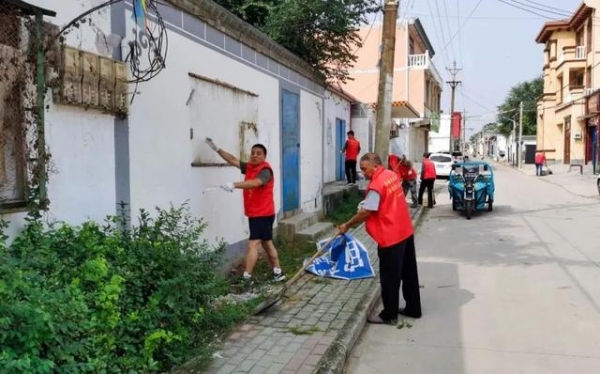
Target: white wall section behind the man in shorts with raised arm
{"type": "Point", "coordinates": [162, 151]}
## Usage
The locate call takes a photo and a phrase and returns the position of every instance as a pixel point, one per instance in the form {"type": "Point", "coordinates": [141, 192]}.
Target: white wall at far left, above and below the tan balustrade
{"type": "Point", "coordinates": [81, 183]}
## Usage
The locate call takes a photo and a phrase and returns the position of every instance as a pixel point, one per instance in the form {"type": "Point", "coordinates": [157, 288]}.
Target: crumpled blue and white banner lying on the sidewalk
{"type": "Point", "coordinates": [344, 258]}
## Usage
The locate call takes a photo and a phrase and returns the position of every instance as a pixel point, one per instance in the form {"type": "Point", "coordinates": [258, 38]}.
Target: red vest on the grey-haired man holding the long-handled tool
{"type": "Point", "coordinates": [391, 224]}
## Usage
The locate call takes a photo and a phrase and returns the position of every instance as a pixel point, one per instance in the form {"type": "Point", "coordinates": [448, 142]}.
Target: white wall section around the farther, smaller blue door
{"type": "Point", "coordinates": [336, 107]}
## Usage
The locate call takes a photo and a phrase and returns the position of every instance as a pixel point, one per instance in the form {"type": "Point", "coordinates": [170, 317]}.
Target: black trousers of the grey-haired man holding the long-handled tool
{"type": "Point", "coordinates": [398, 265]}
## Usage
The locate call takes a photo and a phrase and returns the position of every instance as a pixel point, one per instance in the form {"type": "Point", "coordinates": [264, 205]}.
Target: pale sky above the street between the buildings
{"type": "Point", "coordinates": [495, 47]}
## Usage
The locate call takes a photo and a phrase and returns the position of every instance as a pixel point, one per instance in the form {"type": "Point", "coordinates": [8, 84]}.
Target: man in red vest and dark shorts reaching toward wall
{"type": "Point", "coordinates": [259, 206]}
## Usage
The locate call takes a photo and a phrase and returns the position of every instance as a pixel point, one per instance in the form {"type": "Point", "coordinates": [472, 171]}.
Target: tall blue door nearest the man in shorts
{"type": "Point", "coordinates": [290, 144]}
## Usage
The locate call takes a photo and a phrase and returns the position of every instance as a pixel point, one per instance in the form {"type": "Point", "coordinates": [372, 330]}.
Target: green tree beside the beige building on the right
{"type": "Point", "coordinates": [529, 93]}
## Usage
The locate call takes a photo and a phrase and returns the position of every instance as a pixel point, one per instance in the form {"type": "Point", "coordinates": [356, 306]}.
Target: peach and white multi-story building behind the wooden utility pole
{"type": "Point", "coordinates": [417, 85]}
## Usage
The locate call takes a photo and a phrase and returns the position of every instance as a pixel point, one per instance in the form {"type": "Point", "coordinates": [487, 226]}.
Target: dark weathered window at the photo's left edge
{"type": "Point", "coordinates": [12, 113]}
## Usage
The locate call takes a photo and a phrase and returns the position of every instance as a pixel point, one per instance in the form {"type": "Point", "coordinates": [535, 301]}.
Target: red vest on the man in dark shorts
{"type": "Point", "coordinates": [258, 202]}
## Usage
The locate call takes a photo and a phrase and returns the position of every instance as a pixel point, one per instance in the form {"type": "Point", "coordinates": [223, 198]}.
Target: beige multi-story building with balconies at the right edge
{"type": "Point", "coordinates": [567, 121]}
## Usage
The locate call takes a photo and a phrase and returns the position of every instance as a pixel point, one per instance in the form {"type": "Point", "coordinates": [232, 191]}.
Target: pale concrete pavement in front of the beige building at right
{"type": "Point", "coordinates": [570, 179]}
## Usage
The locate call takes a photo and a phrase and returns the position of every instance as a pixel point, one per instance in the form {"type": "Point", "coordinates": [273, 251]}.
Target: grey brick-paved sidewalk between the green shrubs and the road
{"type": "Point", "coordinates": [312, 331]}
